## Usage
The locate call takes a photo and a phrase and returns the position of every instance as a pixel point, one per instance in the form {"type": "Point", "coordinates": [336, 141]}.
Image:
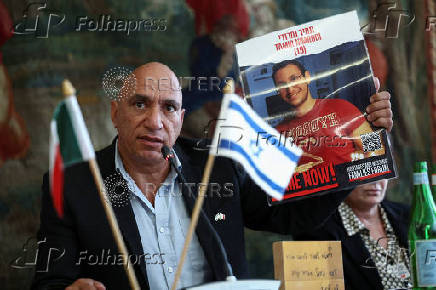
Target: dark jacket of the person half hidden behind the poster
{"type": "Point", "coordinates": [359, 269]}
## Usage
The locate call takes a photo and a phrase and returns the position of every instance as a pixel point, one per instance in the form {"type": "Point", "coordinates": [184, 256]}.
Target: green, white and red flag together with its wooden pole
{"type": "Point", "coordinates": [70, 144]}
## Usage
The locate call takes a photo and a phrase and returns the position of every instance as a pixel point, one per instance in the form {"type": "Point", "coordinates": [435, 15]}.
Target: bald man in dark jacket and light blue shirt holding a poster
{"type": "Point", "coordinates": [153, 222]}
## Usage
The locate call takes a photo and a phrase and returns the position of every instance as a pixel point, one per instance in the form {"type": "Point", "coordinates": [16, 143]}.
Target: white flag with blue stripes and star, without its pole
{"type": "Point", "coordinates": [267, 156]}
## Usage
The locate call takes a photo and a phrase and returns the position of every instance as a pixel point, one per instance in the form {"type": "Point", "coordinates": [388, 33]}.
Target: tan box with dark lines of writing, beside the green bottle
{"type": "Point", "coordinates": [315, 265]}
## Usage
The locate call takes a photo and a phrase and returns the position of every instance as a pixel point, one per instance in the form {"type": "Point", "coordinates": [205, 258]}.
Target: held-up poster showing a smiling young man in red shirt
{"type": "Point", "coordinates": [313, 82]}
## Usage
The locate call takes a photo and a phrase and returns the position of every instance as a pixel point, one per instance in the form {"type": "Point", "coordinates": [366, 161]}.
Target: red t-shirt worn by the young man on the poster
{"type": "Point", "coordinates": [324, 133]}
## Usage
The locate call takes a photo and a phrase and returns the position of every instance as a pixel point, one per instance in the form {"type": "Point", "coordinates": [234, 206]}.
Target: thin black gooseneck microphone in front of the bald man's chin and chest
{"type": "Point", "coordinates": [168, 155]}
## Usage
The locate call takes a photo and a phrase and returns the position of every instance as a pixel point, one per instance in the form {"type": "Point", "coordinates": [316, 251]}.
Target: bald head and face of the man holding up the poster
{"type": "Point", "coordinates": [151, 116]}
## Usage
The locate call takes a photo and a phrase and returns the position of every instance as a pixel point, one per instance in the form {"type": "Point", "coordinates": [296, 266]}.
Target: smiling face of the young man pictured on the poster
{"type": "Point", "coordinates": [292, 85]}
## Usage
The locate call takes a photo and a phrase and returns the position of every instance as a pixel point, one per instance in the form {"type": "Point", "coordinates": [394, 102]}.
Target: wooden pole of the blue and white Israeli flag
{"type": "Point", "coordinates": [228, 89]}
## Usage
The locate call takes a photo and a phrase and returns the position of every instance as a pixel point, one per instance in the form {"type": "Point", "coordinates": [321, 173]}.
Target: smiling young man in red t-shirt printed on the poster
{"type": "Point", "coordinates": [328, 130]}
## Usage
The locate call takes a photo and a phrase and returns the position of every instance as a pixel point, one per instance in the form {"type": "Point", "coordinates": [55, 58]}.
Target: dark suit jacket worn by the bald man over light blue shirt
{"type": "Point", "coordinates": [85, 228]}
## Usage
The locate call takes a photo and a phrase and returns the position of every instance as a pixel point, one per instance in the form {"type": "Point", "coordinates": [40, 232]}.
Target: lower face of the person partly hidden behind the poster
{"type": "Point", "coordinates": [368, 195]}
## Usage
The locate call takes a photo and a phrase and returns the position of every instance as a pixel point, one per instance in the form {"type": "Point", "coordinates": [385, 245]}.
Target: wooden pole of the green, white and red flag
{"type": "Point", "coordinates": [68, 90]}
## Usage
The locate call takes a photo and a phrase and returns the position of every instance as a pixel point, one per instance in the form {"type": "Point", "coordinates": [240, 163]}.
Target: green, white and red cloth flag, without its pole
{"type": "Point", "coordinates": [69, 144]}
